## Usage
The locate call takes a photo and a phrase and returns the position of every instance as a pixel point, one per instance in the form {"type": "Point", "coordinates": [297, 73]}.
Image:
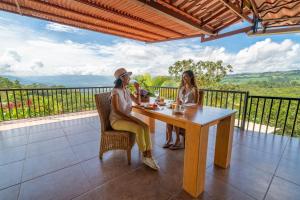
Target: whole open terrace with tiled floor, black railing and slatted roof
{"type": "Point", "coordinates": [49, 137]}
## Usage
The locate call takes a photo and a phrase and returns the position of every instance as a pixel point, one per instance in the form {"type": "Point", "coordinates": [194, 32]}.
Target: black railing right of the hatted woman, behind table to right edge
{"type": "Point", "coordinates": [262, 114]}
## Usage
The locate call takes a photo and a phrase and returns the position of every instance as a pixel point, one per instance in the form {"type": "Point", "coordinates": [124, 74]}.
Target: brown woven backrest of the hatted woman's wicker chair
{"type": "Point", "coordinates": [103, 108]}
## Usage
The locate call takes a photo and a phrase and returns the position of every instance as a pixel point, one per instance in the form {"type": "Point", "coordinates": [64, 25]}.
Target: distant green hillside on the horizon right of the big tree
{"type": "Point", "coordinates": [270, 77]}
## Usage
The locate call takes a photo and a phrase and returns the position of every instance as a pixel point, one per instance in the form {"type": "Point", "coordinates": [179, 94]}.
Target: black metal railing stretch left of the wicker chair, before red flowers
{"type": "Point", "coordinates": [28, 103]}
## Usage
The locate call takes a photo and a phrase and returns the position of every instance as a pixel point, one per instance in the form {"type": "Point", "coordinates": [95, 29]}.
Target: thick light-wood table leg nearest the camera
{"type": "Point", "coordinates": [196, 139]}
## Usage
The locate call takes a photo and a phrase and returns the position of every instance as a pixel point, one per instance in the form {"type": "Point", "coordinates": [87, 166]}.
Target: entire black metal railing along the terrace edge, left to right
{"type": "Point", "coordinates": [261, 114]}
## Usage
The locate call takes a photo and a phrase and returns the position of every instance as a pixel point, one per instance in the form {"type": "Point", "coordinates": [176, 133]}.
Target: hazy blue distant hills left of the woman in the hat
{"type": "Point", "coordinates": [66, 80]}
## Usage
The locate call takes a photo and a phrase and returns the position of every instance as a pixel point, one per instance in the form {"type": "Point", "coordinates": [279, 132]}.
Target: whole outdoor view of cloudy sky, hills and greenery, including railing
{"type": "Point", "coordinates": [70, 65]}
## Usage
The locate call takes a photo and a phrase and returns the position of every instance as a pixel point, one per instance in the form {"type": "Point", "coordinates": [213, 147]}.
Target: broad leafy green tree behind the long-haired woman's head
{"type": "Point", "coordinates": [208, 73]}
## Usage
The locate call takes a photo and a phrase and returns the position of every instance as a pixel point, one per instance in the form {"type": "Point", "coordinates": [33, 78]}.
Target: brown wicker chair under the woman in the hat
{"type": "Point", "coordinates": [111, 139]}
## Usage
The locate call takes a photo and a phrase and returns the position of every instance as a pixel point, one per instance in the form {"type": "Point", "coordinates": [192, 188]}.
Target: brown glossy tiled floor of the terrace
{"type": "Point", "coordinates": [59, 160]}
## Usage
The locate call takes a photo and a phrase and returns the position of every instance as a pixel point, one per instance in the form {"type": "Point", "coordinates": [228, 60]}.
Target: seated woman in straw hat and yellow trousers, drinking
{"type": "Point", "coordinates": [121, 118]}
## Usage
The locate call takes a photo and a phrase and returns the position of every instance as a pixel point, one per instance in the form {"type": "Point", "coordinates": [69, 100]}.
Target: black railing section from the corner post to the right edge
{"type": "Point", "coordinates": [277, 115]}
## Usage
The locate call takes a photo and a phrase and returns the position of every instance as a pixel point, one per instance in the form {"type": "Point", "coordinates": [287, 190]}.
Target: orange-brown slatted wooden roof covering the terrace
{"type": "Point", "coordinates": [161, 20]}
